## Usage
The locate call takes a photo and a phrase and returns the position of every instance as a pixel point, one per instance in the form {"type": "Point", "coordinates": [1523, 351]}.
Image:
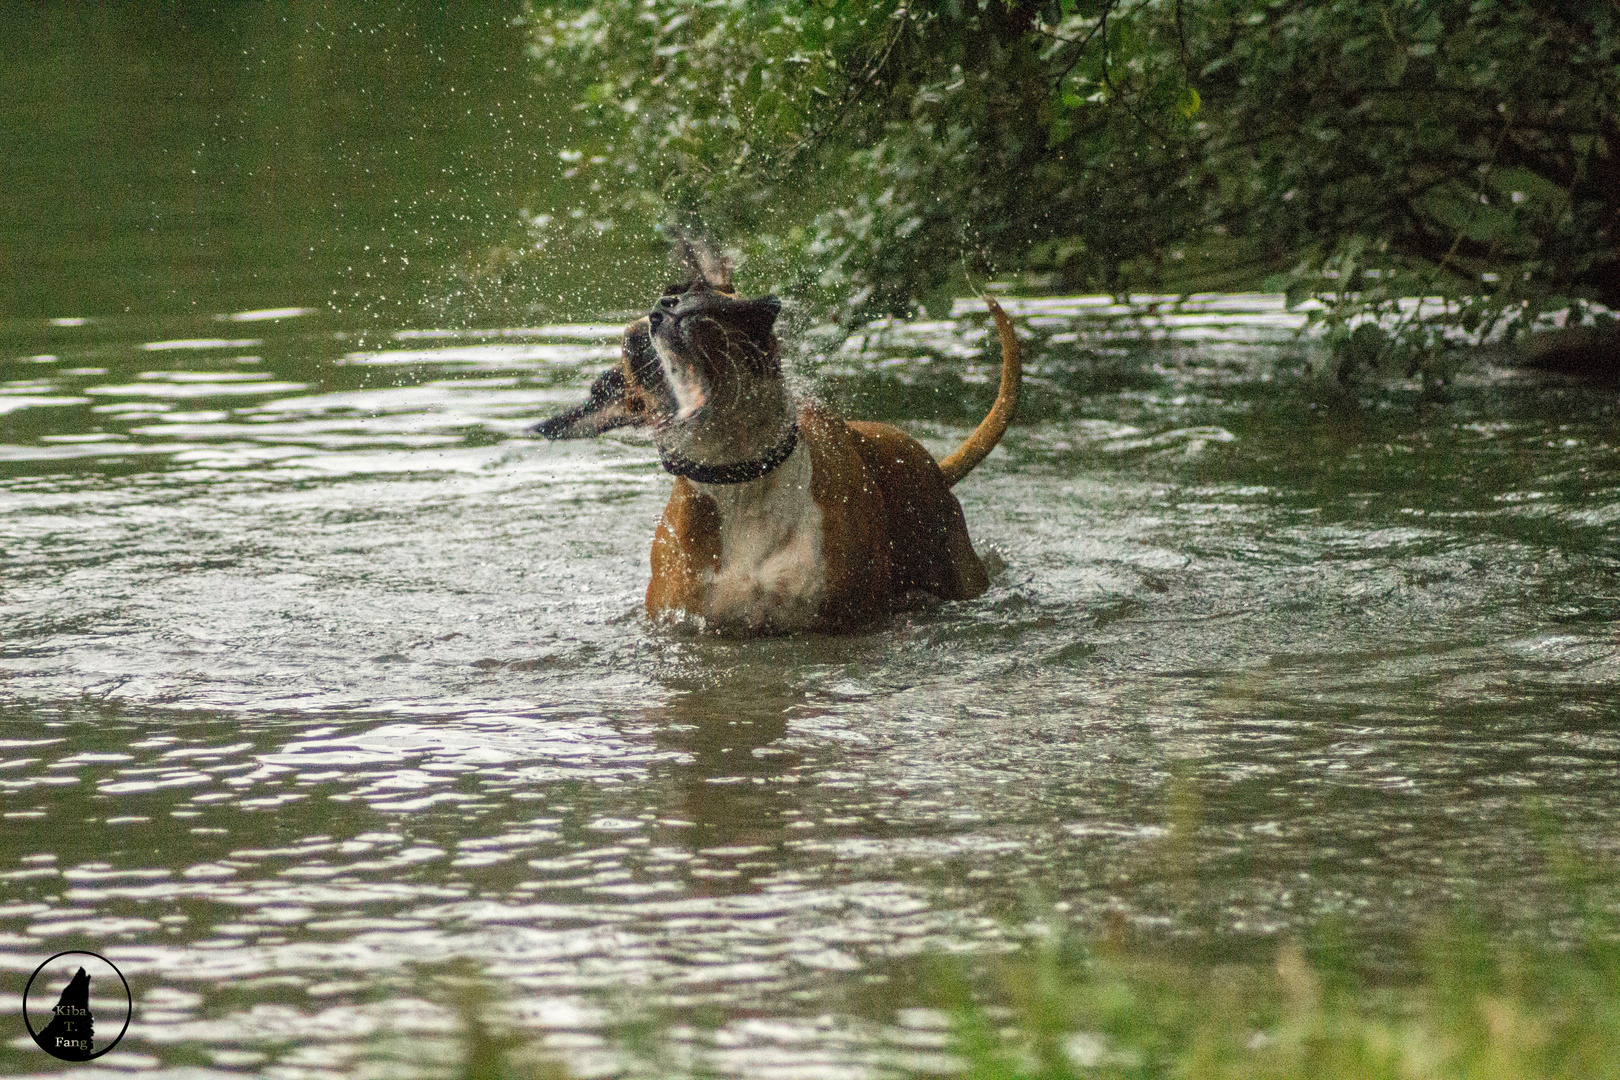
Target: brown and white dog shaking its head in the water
{"type": "Point", "coordinates": [783, 516]}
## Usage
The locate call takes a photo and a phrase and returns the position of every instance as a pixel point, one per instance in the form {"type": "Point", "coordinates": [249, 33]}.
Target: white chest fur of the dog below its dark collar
{"type": "Point", "coordinates": [772, 572]}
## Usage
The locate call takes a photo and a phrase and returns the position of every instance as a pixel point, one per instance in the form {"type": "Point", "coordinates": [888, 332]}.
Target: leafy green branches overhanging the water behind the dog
{"type": "Point", "coordinates": [864, 155]}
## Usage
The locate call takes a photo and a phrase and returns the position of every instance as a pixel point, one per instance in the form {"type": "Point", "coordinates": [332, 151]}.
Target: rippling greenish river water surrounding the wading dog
{"type": "Point", "coordinates": [318, 678]}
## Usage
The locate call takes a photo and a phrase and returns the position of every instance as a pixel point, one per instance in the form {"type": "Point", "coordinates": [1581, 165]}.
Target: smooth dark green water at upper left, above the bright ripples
{"type": "Point", "coordinates": [284, 159]}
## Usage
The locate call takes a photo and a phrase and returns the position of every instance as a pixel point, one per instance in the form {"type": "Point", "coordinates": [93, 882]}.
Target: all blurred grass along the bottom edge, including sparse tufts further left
{"type": "Point", "coordinates": [1064, 1008]}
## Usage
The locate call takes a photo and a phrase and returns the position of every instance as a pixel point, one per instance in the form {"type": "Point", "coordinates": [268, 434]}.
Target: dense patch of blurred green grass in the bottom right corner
{"type": "Point", "coordinates": [1481, 1011]}
